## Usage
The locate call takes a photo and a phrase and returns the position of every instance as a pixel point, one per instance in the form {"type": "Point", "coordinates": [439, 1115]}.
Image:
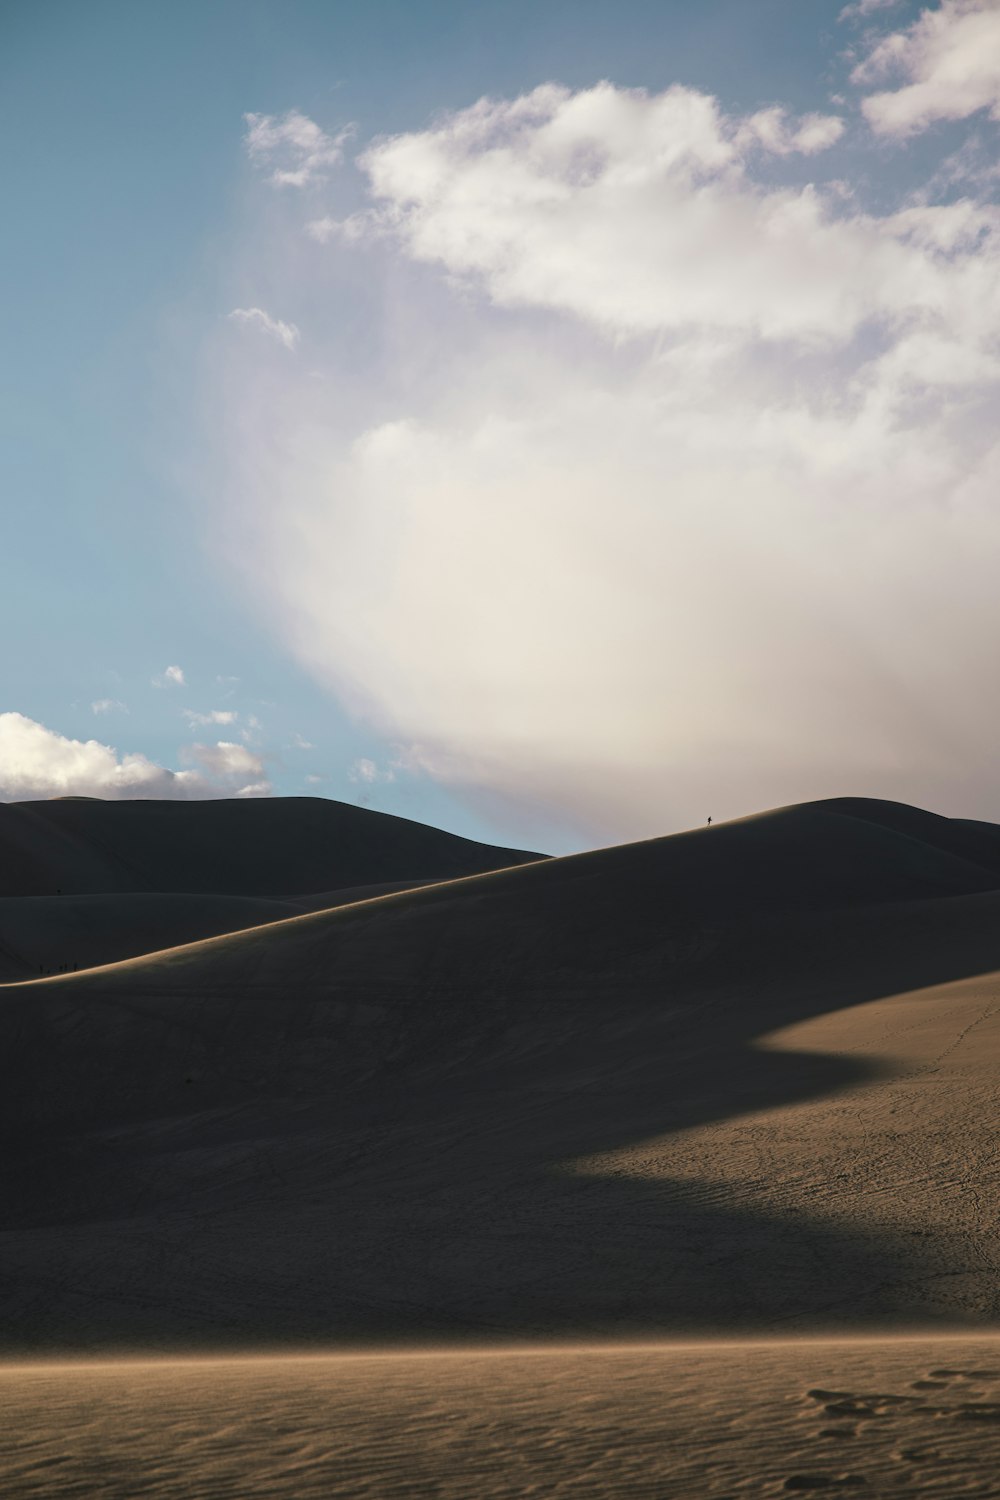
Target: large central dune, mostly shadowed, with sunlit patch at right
{"type": "Point", "coordinates": [693, 1084]}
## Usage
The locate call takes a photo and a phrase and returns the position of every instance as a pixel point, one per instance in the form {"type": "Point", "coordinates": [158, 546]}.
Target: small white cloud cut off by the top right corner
{"type": "Point", "coordinates": [950, 61]}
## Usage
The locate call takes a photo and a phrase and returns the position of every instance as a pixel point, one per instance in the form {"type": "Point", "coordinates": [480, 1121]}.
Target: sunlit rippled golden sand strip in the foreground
{"type": "Point", "coordinates": [897, 1418]}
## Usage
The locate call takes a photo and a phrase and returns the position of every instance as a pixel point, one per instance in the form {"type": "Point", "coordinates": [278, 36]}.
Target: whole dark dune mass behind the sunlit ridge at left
{"type": "Point", "coordinates": [86, 883]}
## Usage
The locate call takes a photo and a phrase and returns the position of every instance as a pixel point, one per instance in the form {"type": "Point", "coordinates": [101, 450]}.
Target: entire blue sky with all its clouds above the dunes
{"type": "Point", "coordinates": [552, 422]}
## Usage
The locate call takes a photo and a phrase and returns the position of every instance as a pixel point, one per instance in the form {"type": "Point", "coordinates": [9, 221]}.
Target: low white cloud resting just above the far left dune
{"type": "Point", "coordinates": [38, 763]}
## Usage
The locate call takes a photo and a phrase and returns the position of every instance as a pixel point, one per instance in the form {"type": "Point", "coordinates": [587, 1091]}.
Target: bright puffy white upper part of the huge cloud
{"type": "Point", "coordinates": [639, 215]}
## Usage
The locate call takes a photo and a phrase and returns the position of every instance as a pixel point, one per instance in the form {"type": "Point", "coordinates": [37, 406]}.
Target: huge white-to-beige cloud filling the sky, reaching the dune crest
{"type": "Point", "coordinates": [693, 511]}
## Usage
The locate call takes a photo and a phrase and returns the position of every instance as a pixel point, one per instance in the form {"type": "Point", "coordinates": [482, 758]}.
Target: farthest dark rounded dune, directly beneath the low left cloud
{"type": "Point", "coordinates": [260, 848]}
